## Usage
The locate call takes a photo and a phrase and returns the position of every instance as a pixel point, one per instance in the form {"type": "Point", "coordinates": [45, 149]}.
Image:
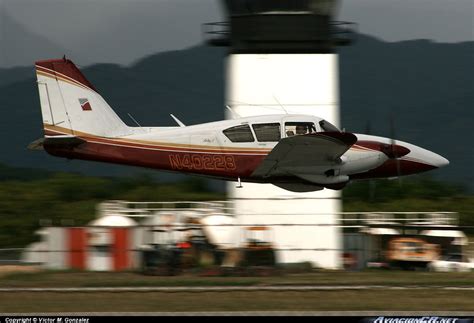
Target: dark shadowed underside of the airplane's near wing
{"type": "Point", "coordinates": [306, 155]}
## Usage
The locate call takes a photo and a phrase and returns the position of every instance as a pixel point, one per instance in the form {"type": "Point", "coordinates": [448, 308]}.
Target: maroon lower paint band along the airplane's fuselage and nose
{"type": "Point", "coordinates": [217, 162]}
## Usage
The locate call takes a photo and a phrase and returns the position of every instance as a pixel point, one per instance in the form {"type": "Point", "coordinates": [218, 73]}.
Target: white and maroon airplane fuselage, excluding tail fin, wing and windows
{"type": "Point", "coordinates": [205, 150]}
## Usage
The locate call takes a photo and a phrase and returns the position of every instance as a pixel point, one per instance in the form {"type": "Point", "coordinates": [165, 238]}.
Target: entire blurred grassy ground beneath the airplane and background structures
{"type": "Point", "coordinates": [396, 291]}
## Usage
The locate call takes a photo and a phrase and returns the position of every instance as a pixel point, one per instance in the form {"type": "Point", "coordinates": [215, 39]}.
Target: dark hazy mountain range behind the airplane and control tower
{"type": "Point", "coordinates": [425, 88]}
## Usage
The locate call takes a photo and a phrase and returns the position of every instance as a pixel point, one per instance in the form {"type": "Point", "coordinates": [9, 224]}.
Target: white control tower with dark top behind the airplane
{"type": "Point", "coordinates": [281, 60]}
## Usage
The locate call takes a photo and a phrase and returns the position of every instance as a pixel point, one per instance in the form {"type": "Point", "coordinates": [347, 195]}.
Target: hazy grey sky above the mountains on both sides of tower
{"type": "Point", "coordinates": [122, 31]}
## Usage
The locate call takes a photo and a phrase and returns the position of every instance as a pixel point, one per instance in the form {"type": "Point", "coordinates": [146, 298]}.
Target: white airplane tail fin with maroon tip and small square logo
{"type": "Point", "coordinates": [71, 105]}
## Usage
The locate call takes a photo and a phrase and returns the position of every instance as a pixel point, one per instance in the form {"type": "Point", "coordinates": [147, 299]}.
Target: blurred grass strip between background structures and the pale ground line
{"type": "Point", "coordinates": [130, 279]}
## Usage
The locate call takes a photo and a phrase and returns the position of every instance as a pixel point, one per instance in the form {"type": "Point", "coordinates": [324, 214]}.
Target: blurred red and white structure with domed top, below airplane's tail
{"type": "Point", "coordinates": [106, 244]}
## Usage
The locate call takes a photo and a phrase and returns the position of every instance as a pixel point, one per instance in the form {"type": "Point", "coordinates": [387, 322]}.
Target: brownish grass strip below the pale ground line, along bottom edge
{"type": "Point", "coordinates": [365, 300]}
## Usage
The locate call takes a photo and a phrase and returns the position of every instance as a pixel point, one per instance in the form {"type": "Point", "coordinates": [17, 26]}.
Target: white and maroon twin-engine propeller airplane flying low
{"type": "Point", "coordinates": [299, 153]}
